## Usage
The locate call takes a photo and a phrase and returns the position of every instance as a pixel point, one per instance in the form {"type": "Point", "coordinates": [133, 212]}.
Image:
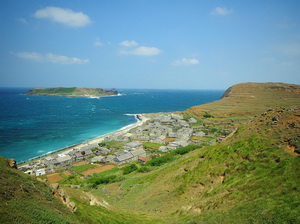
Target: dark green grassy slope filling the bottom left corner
{"type": "Point", "coordinates": [26, 200]}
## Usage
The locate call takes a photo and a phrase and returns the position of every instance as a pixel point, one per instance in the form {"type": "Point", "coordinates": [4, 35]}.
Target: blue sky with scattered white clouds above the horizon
{"type": "Point", "coordinates": [155, 44]}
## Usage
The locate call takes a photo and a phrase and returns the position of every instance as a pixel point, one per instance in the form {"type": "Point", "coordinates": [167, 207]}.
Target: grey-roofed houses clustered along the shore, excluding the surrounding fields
{"type": "Point", "coordinates": [169, 130]}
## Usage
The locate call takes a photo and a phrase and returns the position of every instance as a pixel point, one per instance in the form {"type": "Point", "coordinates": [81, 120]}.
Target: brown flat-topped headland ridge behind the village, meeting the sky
{"type": "Point", "coordinates": [248, 99]}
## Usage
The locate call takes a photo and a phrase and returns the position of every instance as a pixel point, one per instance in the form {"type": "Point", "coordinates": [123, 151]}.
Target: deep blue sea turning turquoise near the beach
{"type": "Point", "coordinates": [31, 126]}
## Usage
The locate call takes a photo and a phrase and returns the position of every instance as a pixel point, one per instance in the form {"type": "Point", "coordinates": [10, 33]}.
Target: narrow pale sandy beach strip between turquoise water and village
{"type": "Point", "coordinates": [141, 119]}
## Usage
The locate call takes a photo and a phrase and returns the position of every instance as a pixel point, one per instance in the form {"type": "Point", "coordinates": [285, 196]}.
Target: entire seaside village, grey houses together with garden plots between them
{"type": "Point", "coordinates": [155, 137]}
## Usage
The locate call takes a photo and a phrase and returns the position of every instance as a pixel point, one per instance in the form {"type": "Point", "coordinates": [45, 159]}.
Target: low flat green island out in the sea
{"type": "Point", "coordinates": [72, 92]}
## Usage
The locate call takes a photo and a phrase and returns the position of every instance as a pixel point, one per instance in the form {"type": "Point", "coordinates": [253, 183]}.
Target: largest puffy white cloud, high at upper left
{"type": "Point", "coordinates": [64, 16]}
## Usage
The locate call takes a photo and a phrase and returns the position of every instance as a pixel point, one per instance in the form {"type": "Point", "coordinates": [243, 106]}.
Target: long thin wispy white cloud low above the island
{"type": "Point", "coordinates": [52, 58]}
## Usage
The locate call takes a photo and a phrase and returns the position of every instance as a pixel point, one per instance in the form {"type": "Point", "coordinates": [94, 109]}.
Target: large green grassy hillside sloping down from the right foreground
{"type": "Point", "coordinates": [250, 178]}
